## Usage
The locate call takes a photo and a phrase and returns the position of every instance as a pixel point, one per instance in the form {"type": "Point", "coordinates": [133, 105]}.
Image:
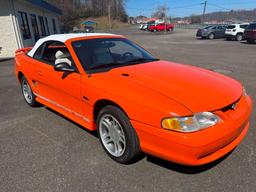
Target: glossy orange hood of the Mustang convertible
{"type": "Point", "coordinates": [196, 88]}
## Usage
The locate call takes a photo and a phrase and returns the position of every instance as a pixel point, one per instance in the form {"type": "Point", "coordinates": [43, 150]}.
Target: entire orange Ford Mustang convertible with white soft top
{"type": "Point", "coordinates": [137, 103]}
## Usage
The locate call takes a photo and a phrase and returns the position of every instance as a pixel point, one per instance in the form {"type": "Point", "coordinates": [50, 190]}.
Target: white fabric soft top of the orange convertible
{"type": "Point", "coordinates": [63, 38]}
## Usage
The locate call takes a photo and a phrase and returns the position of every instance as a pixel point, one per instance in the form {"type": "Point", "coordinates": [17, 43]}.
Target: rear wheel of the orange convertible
{"type": "Point", "coordinates": [27, 93]}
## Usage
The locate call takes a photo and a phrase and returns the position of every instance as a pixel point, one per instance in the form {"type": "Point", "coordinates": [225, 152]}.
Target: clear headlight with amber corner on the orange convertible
{"type": "Point", "coordinates": [192, 123]}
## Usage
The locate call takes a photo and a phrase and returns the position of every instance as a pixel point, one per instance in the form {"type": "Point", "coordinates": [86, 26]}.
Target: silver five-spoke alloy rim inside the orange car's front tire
{"type": "Point", "coordinates": [112, 135]}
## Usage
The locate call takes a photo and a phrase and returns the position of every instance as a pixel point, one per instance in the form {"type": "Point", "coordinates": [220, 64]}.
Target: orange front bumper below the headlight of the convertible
{"type": "Point", "coordinates": [200, 147]}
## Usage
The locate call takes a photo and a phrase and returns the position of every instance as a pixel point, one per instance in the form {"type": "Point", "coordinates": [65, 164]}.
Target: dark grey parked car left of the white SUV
{"type": "Point", "coordinates": [212, 32]}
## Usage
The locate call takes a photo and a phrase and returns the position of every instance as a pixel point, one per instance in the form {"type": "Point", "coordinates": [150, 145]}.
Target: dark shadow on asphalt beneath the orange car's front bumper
{"type": "Point", "coordinates": [183, 168]}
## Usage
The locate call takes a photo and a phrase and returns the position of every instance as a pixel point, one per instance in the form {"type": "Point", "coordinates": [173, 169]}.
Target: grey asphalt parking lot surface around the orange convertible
{"type": "Point", "coordinates": [42, 151]}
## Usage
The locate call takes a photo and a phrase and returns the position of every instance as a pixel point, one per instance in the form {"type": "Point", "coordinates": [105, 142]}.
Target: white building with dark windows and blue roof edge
{"type": "Point", "coordinates": [23, 22]}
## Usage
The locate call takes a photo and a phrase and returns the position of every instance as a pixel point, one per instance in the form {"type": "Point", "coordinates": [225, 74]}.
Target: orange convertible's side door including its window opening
{"type": "Point", "coordinates": [61, 89]}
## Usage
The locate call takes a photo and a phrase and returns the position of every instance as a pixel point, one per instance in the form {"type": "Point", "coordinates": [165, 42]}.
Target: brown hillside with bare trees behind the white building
{"type": "Point", "coordinates": [76, 11]}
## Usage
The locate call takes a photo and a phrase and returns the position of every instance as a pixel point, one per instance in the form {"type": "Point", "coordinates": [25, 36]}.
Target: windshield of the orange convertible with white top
{"type": "Point", "coordinates": [106, 53]}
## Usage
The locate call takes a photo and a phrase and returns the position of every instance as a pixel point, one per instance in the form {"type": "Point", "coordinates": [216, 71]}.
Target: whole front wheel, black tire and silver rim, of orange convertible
{"type": "Point", "coordinates": [117, 136]}
